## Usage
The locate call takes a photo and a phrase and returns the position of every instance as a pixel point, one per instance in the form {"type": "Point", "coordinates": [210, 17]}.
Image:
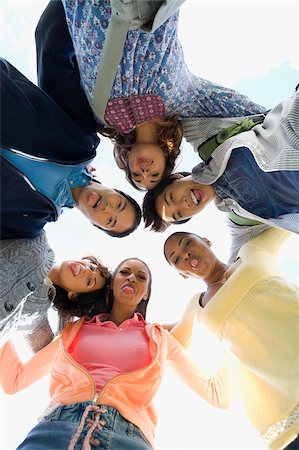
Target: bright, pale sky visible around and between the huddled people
{"type": "Point", "coordinates": [250, 46]}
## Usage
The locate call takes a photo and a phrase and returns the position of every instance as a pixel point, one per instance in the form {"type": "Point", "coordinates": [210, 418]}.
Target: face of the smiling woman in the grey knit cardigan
{"type": "Point", "coordinates": [80, 276]}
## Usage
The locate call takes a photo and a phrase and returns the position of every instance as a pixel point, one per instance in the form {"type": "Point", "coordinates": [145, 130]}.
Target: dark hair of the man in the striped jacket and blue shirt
{"type": "Point", "coordinates": [150, 215]}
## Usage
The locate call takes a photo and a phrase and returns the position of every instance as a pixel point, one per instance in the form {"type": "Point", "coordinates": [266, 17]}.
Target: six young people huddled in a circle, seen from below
{"type": "Point", "coordinates": [106, 362]}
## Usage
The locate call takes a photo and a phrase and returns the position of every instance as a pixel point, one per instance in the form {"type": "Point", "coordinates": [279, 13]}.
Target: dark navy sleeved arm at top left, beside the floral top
{"type": "Point", "coordinates": [57, 68]}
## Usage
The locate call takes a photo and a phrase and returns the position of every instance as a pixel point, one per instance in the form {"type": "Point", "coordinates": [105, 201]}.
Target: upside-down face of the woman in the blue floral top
{"type": "Point", "coordinates": [147, 165]}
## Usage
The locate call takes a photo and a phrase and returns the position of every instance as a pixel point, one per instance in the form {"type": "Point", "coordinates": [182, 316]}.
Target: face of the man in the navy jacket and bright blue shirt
{"type": "Point", "coordinates": [106, 208]}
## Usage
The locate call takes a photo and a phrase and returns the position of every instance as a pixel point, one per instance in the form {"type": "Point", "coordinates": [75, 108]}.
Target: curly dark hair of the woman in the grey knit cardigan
{"type": "Point", "coordinates": [85, 304]}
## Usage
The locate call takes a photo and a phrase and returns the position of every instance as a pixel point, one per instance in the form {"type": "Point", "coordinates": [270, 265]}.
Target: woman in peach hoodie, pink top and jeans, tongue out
{"type": "Point", "coordinates": [105, 372]}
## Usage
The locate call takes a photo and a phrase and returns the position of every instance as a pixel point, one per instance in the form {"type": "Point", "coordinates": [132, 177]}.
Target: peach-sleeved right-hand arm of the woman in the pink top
{"type": "Point", "coordinates": [216, 389]}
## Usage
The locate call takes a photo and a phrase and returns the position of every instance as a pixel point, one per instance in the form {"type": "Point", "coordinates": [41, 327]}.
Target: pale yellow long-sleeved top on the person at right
{"type": "Point", "coordinates": [256, 314]}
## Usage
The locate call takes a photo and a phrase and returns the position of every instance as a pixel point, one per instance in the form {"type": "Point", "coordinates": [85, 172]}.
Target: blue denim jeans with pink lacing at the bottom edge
{"type": "Point", "coordinates": [57, 429]}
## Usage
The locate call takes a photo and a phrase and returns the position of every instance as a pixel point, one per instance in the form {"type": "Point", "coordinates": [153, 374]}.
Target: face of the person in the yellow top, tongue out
{"type": "Point", "coordinates": [190, 255]}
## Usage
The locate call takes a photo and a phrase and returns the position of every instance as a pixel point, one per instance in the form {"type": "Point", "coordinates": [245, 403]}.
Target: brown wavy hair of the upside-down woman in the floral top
{"type": "Point", "coordinates": [168, 129]}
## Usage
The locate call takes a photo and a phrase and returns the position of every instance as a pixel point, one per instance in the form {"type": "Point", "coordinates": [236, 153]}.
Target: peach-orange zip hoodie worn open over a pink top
{"type": "Point", "coordinates": [131, 393]}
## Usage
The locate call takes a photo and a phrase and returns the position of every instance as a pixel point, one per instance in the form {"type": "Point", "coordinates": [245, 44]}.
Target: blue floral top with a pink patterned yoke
{"type": "Point", "coordinates": [152, 80]}
